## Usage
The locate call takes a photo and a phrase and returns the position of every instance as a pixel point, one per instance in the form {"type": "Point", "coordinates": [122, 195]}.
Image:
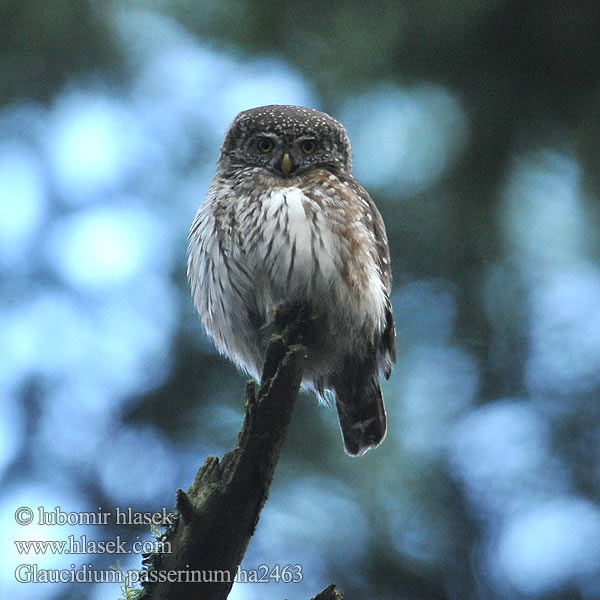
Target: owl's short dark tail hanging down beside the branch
{"type": "Point", "coordinates": [361, 411]}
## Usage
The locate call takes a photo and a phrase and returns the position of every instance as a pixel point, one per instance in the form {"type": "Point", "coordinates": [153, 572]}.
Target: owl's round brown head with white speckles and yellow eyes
{"type": "Point", "coordinates": [286, 140]}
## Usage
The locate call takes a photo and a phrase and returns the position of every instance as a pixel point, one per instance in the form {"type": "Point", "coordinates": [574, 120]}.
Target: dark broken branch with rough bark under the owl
{"type": "Point", "coordinates": [217, 516]}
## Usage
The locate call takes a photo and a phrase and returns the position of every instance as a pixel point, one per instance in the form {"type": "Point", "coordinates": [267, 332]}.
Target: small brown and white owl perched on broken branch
{"type": "Point", "coordinates": [285, 225]}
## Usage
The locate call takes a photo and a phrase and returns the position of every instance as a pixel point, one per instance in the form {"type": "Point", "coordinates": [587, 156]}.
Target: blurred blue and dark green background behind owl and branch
{"type": "Point", "coordinates": [475, 126]}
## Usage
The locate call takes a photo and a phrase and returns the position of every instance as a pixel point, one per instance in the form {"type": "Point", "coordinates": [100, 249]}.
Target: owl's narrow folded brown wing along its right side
{"type": "Point", "coordinates": [388, 338]}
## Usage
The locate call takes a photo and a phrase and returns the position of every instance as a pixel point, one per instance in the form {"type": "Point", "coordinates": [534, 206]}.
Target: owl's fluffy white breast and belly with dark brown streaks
{"type": "Point", "coordinates": [250, 253]}
